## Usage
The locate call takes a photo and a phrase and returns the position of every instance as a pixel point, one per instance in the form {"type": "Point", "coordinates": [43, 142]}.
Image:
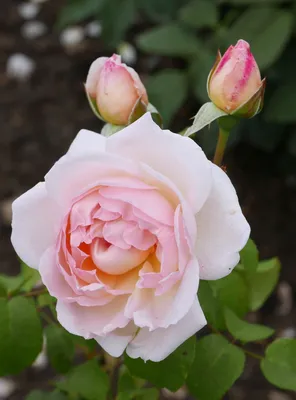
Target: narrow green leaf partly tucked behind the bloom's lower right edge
{"type": "Point", "coordinates": [210, 305]}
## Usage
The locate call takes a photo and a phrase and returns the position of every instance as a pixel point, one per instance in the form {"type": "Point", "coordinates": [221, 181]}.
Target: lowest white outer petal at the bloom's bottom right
{"type": "Point", "coordinates": [157, 345]}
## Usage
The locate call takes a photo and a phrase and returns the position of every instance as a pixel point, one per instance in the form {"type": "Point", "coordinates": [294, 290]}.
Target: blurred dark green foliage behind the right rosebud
{"type": "Point", "coordinates": [190, 31]}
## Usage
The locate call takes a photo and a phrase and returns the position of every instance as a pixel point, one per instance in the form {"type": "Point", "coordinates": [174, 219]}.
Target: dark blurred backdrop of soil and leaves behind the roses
{"type": "Point", "coordinates": [46, 48]}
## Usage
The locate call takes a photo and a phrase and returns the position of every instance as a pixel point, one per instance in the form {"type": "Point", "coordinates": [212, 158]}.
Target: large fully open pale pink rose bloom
{"type": "Point", "coordinates": [122, 230]}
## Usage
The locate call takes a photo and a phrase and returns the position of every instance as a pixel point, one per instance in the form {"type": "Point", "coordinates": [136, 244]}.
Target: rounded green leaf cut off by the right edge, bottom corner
{"type": "Point", "coordinates": [279, 364]}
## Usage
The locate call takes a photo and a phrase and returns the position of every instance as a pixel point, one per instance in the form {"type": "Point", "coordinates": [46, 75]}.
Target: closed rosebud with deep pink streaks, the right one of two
{"type": "Point", "coordinates": [235, 84]}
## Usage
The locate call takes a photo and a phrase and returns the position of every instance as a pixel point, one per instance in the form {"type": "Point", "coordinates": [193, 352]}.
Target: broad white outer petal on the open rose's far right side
{"type": "Point", "coordinates": [222, 230]}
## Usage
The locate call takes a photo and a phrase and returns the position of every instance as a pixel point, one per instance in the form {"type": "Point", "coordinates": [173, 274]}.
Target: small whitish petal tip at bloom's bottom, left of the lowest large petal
{"type": "Point", "coordinates": [115, 342]}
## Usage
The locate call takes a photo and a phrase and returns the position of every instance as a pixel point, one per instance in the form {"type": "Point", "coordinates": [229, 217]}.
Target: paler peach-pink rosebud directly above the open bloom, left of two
{"type": "Point", "coordinates": [116, 90]}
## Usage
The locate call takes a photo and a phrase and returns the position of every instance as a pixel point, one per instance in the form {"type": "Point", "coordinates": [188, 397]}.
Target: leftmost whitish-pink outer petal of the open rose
{"type": "Point", "coordinates": [35, 222]}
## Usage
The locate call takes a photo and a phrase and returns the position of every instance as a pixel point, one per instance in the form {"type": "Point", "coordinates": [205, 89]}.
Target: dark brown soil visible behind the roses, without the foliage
{"type": "Point", "coordinates": [39, 119]}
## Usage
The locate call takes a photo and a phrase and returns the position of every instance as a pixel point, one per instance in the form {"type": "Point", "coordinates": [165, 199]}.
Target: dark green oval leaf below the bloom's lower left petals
{"type": "Point", "coordinates": [60, 348]}
